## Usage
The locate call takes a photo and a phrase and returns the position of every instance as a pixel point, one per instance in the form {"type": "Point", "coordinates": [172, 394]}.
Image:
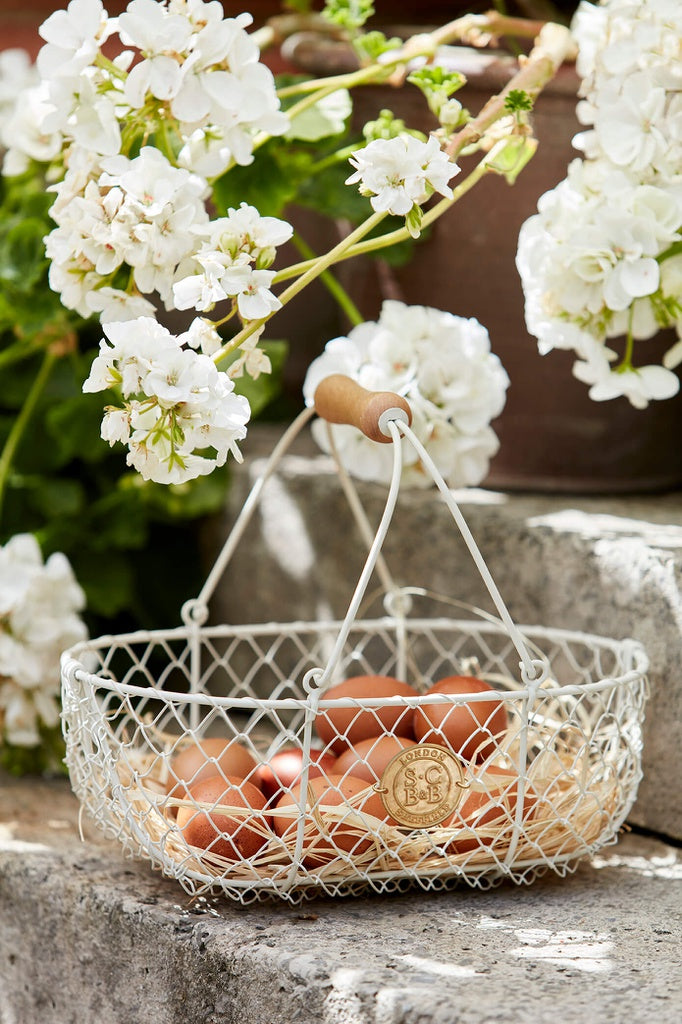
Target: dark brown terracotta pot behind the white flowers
{"type": "Point", "coordinates": [553, 437]}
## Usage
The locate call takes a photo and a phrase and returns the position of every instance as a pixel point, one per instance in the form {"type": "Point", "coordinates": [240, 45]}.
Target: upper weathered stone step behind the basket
{"type": "Point", "coordinates": [606, 566]}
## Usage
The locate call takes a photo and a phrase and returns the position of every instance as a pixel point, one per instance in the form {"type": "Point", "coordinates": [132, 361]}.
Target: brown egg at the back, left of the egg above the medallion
{"type": "Point", "coordinates": [345, 728]}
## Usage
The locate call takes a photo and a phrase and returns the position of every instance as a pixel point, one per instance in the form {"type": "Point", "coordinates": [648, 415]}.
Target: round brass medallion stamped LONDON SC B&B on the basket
{"type": "Point", "coordinates": [422, 786]}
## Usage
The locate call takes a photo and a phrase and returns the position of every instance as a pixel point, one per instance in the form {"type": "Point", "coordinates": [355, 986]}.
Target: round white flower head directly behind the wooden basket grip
{"type": "Point", "coordinates": [444, 367]}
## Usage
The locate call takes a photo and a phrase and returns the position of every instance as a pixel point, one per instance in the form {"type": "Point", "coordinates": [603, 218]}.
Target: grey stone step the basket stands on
{"type": "Point", "coordinates": [88, 937]}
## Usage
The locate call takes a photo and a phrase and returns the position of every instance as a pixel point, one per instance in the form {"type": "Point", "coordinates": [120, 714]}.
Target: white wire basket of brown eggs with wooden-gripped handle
{"type": "Point", "coordinates": [383, 795]}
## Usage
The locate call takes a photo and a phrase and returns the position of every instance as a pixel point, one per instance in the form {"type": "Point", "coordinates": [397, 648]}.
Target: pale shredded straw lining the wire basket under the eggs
{"type": "Point", "coordinates": [574, 796]}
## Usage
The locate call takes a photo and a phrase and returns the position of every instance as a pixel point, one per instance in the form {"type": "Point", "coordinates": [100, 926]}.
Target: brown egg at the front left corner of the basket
{"type": "Point", "coordinates": [235, 836]}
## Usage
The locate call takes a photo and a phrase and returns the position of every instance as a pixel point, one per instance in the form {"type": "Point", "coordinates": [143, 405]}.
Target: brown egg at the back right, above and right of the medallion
{"type": "Point", "coordinates": [471, 730]}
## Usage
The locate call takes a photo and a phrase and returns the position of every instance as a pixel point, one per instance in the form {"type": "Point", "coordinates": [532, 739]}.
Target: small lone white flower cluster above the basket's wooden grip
{"type": "Point", "coordinates": [400, 174]}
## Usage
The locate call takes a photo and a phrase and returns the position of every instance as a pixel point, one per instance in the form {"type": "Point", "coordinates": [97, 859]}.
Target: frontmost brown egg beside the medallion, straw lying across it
{"type": "Point", "coordinates": [323, 845]}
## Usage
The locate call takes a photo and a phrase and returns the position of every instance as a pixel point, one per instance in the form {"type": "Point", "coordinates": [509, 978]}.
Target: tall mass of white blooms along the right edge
{"type": "Point", "coordinates": [602, 260]}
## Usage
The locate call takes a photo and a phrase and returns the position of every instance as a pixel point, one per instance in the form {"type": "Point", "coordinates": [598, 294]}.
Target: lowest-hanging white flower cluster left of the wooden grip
{"type": "Point", "coordinates": [177, 403]}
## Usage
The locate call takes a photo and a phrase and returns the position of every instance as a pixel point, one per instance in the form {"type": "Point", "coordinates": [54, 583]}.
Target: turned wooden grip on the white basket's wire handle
{"type": "Point", "coordinates": [342, 400]}
